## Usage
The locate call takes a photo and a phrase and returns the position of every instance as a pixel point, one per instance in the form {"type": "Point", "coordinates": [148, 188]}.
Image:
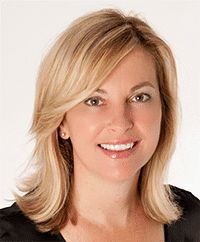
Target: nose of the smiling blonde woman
{"type": "Point", "coordinates": [121, 120]}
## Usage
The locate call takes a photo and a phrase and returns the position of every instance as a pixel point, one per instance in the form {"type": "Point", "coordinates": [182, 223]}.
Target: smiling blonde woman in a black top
{"type": "Point", "coordinates": [104, 124]}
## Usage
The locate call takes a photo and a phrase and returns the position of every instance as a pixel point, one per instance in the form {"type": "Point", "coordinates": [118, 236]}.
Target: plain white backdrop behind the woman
{"type": "Point", "coordinates": [28, 28]}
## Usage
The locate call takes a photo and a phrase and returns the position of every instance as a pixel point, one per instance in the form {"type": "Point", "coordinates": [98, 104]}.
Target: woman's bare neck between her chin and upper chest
{"type": "Point", "coordinates": [105, 202]}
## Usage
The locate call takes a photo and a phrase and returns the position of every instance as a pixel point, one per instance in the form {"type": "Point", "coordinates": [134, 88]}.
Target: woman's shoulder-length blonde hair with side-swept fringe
{"type": "Point", "coordinates": [80, 60]}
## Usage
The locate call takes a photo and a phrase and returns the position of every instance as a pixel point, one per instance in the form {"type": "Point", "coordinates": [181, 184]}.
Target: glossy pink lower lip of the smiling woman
{"type": "Point", "coordinates": [119, 154]}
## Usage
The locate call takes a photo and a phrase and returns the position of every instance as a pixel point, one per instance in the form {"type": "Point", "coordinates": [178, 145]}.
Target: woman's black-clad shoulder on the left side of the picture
{"type": "Point", "coordinates": [15, 226]}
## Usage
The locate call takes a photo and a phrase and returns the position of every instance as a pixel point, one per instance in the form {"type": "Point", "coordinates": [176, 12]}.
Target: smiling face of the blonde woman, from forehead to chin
{"type": "Point", "coordinates": [115, 131]}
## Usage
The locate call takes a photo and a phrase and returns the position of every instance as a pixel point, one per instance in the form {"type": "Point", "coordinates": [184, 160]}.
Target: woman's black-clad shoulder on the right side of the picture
{"type": "Point", "coordinates": [188, 226]}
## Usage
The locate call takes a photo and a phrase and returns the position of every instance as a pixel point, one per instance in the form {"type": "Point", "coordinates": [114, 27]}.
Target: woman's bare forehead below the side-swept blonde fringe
{"type": "Point", "coordinates": [135, 69]}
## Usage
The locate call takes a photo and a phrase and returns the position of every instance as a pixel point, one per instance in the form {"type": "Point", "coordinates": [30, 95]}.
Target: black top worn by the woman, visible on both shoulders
{"type": "Point", "coordinates": [16, 227]}
